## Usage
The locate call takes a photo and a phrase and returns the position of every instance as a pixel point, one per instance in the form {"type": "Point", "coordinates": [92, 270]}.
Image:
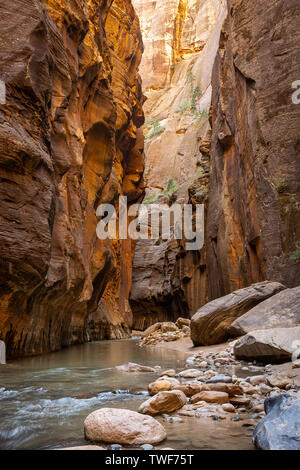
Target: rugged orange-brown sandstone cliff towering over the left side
{"type": "Point", "coordinates": [69, 140]}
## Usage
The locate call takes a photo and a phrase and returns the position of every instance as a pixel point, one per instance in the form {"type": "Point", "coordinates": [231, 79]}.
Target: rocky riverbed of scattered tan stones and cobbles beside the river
{"type": "Point", "coordinates": [213, 386]}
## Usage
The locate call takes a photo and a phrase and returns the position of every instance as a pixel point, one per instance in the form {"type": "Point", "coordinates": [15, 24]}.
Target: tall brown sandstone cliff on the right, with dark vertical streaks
{"type": "Point", "coordinates": [253, 215]}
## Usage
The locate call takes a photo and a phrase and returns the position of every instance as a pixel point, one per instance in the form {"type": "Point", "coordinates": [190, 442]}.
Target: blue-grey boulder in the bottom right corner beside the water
{"type": "Point", "coordinates": [280, 428]}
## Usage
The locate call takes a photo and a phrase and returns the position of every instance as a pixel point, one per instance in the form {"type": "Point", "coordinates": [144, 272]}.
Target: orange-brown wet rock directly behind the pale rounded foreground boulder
{"type": "Point", "coordinates": [164, 402]}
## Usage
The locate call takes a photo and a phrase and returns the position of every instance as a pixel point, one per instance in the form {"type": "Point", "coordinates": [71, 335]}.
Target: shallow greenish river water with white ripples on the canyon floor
{"type": "Point", "coordinates": [44, 400]}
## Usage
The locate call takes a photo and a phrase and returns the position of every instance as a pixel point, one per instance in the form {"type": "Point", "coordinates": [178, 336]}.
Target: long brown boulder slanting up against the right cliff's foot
{"type": "Point", "coordinates": [210, 325]}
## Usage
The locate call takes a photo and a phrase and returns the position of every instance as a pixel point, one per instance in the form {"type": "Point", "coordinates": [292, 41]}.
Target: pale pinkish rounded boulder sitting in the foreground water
{"type": "Point", "coordinates": [119, 426]}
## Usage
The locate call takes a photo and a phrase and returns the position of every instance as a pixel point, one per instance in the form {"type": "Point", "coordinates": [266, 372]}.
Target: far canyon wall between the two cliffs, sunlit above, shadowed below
{"type": "Point", "coordinates": [181, 40]}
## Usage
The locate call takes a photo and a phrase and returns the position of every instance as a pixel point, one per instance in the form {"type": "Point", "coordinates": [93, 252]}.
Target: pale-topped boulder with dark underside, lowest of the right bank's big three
{"type": "Point", "coordinates": [268, 346]}
